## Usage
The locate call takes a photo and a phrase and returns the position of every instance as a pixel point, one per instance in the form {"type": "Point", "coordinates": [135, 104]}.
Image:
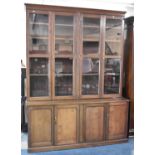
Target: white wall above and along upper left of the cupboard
{"type": "Point", "coordinates": [120, 5]}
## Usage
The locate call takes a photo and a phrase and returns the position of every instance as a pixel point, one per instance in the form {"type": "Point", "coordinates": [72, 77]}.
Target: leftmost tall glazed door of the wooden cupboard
{"type": "Point", "coordinates": [38, 61]}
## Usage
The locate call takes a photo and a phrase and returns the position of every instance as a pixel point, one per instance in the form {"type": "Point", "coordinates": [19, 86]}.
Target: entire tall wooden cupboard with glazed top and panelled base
{"type": "Point", "coordinates": [74, 77]}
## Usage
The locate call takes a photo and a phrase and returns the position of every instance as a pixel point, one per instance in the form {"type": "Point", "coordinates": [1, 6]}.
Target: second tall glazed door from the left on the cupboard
{"type": "Point", "coordinates": [64, 55]}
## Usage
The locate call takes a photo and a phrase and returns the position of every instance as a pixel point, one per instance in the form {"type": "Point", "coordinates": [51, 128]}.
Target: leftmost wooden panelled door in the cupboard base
{"type": "Point", "coordinates": [40, 127]}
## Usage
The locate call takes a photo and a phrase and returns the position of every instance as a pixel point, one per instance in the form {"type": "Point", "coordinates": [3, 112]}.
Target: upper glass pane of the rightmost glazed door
{"type": "Point", "coordinates": [113, 36]}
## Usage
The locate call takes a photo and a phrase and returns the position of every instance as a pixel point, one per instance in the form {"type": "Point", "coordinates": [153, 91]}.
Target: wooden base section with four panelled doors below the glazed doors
{"type": "Point", "coordinates": [77, 125]}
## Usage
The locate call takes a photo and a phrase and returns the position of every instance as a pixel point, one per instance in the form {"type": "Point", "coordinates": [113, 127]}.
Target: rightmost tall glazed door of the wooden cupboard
{"type": "Point", "coordinates": [113, 48]}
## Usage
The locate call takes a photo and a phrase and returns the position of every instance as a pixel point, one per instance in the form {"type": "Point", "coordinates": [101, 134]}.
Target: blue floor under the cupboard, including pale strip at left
{"type": "Point", "coordinates": [115, 149]}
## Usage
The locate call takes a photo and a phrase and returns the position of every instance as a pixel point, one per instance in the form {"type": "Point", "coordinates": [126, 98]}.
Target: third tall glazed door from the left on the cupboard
{"type": "Point", "coordinates": [90, 56]}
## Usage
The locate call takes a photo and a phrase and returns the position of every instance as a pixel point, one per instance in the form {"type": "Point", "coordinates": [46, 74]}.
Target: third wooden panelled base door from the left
{"type": "Point", "coordinates": [94, 123]}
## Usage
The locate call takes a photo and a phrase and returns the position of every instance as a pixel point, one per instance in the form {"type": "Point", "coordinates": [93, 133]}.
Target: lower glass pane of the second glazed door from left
{"type": "Point", "coordinates": [63, 77]}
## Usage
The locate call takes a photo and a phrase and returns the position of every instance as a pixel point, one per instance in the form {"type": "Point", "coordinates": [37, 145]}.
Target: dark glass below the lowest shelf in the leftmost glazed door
{"type": "Point", "coordinates": [39, 86]}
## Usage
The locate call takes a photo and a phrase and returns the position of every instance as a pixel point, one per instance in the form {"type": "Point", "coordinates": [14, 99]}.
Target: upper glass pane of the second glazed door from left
{"type": "Point", "coordinates": [63, 34]}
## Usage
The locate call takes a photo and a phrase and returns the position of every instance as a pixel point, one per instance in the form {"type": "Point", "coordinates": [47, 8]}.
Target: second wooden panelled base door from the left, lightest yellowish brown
{"type": "Point", "coordinates": [66, 125]}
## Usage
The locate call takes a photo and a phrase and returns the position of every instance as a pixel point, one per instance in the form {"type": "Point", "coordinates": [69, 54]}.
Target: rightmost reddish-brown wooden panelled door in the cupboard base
{"type": "Point", "coordinates": [118, 121]}
